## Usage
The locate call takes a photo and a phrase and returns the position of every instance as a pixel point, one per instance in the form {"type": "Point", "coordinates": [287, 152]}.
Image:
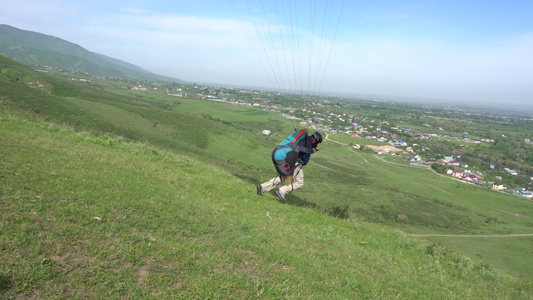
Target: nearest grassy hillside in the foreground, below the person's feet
{"type": "Point", "coordinates": [89, 217]}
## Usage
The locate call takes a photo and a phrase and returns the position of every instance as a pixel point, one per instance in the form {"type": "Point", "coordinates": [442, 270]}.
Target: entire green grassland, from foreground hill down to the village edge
{"type": "Point", "coordinates": [125, 194]}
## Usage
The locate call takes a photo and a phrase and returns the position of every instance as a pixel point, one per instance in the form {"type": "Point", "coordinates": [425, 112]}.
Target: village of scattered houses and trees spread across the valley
{"type": "Point", "coordinates": [419, 143]}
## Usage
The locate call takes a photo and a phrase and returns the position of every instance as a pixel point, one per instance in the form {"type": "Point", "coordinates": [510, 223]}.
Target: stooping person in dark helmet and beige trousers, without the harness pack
{"type": "Point", "coordinates": [306, 147]}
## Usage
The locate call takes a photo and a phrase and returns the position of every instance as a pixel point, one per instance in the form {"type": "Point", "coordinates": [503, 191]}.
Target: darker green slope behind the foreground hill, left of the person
{"type": "Point", "coordinates": [87, 107]}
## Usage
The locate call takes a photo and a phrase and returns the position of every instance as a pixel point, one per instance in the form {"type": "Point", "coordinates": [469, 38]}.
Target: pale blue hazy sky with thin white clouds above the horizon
{"type": "Point", "coordinates": [468, 50]}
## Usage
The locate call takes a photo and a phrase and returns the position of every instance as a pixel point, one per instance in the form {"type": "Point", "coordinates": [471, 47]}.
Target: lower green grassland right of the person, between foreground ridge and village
{"type": "Point", "coordinates": [380, 192]}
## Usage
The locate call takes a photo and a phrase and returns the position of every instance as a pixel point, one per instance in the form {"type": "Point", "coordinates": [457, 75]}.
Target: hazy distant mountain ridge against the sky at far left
{"type": "Point", "coordinates": [34, 48]}
